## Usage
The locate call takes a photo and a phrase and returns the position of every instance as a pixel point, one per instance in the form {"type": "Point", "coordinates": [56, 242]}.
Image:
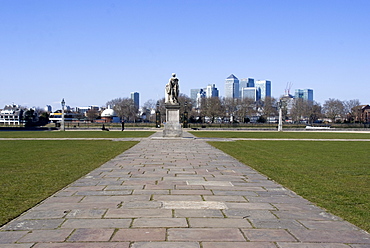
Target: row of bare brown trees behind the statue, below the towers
{"type": "Point", "coordinates": [216, 109]}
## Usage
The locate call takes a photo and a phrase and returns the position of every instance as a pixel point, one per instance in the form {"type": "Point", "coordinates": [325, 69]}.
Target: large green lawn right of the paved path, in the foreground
{"type": "Point", "coordinates": [334, 175]}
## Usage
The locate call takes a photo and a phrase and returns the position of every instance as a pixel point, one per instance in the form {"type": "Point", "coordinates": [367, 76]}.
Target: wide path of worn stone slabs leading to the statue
{"type": "Point", "coordinates": [166, 193]}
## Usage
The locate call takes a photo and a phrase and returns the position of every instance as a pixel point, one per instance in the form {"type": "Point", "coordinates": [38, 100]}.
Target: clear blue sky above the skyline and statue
{"type": "Point", "coordinates": [92, 51]}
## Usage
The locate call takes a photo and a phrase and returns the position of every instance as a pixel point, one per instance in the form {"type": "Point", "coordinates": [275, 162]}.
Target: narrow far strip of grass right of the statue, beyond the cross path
{"type": "Point", "coordinates": [281, 135]}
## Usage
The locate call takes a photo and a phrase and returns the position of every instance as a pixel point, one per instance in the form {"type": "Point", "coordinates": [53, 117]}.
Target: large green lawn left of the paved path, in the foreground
{"type": "Point", "coordinates": [30, 171]}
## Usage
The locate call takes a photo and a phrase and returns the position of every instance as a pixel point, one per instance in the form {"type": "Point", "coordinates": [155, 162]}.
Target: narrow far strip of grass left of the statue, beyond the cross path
{"type": "Point", "coordinates": [75, 134]}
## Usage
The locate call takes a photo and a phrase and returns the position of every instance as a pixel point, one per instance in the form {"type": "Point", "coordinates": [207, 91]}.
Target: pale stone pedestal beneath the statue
{"type": "Point", "coordinates": [172, 128]}
